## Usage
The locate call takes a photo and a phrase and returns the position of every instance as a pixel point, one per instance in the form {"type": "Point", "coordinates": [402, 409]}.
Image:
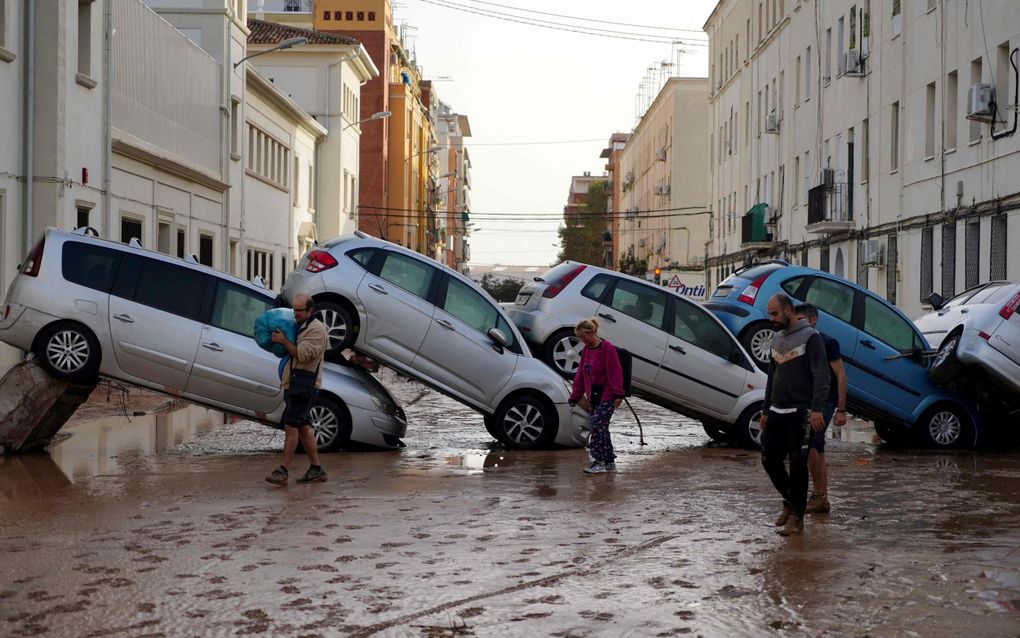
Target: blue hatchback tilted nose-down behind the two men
{"type": "Point", "coordinates": [885, 355]}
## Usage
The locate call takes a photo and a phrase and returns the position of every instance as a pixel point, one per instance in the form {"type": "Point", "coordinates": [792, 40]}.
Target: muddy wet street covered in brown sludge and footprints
{"type": "Point", "coordinates": [163, 526]}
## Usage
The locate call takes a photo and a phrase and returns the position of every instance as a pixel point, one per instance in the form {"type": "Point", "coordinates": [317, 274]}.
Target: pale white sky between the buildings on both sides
{"type": "Point", "coordinates": [520, 83]}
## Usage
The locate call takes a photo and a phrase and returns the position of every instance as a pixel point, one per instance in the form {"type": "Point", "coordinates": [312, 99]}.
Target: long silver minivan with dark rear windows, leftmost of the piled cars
{"type": "Point", "coordinates": [89, 307]}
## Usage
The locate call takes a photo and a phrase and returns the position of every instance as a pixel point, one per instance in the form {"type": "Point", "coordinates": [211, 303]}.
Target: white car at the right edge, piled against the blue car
{"type": "Point", "coordinates": [979, 330]}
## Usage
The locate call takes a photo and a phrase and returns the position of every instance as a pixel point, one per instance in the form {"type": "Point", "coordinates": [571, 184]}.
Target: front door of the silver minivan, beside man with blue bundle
{"type": "Point", "coordinates": [230, 368]}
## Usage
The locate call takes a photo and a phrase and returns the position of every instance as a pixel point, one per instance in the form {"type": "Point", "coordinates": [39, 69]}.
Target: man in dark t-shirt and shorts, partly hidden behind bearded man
{"type": "Point", "coordinates": [836, 405]}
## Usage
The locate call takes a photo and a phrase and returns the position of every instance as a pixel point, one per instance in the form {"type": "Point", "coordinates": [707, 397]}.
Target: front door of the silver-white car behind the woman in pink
{"type": "Point", "coordinates": [698, 367]}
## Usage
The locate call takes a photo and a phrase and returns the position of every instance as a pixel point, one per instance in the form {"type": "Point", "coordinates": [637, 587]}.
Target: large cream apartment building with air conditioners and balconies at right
{"type": "Point", "coordinates": [858, 137]}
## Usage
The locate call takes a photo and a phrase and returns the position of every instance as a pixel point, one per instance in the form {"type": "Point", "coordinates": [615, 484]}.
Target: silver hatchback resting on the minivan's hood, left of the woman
{"type": "Point", "coordinates": [433, 324]}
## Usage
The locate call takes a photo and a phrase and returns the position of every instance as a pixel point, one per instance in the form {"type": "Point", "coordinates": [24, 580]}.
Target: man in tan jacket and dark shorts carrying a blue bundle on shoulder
{"type": "Point", "coordinates": [307, 361]}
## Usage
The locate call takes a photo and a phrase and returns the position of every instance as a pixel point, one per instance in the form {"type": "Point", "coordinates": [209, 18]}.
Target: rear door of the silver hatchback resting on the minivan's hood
{"type": "Point", "coordinates": [395, 296]}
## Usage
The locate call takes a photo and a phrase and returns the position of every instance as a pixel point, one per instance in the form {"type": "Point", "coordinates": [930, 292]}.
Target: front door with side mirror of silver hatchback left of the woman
{"type": "Point", "coordinates": [458, 353]}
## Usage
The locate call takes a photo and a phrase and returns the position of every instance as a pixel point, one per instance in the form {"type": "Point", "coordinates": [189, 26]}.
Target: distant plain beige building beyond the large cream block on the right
{"type": "Point", "coordinates": [665, 200]}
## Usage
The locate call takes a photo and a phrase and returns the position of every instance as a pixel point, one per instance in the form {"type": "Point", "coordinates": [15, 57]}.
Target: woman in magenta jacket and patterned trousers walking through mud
{"type": "Point", "coordinates": [598, 388]}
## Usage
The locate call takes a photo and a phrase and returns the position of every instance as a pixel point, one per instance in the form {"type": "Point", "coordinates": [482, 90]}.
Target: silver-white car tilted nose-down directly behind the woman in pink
{"type": "Point", "coordinates": [684, 359]}
